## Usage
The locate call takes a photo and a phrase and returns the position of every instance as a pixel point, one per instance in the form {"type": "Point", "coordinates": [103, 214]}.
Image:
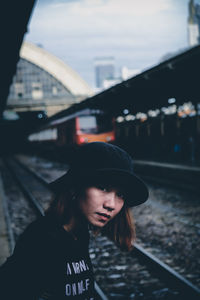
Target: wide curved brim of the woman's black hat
{"type": "Point", "coordinates": [135, 189]}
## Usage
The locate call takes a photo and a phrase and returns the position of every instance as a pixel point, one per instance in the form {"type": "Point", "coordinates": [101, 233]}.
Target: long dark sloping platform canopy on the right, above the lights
{"type": "Point", "coordinates": [177, 77]}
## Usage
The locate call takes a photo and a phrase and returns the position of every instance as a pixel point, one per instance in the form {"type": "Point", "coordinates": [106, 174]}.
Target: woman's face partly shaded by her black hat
{"type": "Point", "coordinates": [101, 204]}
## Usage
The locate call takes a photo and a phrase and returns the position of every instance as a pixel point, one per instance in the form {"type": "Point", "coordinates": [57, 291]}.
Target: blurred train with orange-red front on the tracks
{"type": "Point", "coordinates": [83, 127]}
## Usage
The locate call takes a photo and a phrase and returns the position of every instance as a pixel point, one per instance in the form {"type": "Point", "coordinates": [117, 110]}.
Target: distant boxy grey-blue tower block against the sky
{"type": "Point", "coordinates": [104, 70]}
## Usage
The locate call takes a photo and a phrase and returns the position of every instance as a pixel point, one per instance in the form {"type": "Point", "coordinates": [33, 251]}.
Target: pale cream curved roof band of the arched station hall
{"type": "Point", "coordinates": [56, 67]}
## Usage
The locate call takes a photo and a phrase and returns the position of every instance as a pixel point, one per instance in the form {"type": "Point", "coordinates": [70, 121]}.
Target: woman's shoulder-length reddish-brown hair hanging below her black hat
{"type": "Point", "coordinates": [121, 229]}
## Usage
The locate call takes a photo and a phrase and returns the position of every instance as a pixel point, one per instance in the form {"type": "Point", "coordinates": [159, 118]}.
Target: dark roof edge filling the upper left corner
{"type": "Point", "coordinates": [14, 16]}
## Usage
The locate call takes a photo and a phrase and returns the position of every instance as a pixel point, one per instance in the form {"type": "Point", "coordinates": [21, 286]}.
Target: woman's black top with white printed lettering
{"type": "Point", "coordinates": [48, 263]}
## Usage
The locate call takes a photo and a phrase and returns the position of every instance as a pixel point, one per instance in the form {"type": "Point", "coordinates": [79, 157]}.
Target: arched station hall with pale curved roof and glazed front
{"type": "Point", "coordinates": [44, 82]}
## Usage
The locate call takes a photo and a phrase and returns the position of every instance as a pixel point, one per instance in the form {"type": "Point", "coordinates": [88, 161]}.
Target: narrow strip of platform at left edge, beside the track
{"type": "Point", "coordinates": [4, 243]}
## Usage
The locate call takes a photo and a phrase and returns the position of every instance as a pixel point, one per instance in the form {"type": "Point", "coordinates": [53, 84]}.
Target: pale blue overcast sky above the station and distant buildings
{"type": "Point", "coordinates": [138, 33]}
